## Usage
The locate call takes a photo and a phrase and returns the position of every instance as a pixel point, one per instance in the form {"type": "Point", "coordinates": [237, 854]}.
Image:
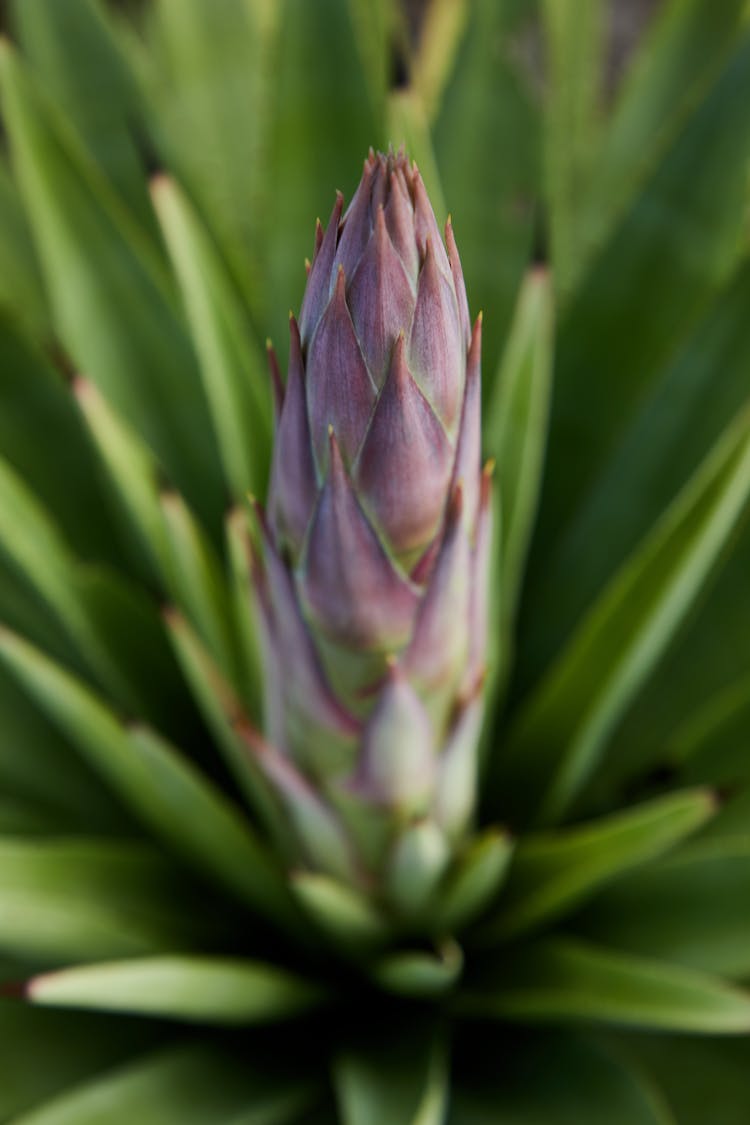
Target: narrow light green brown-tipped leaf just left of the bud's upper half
{"type": "Point", "coordinates": [236, 381]}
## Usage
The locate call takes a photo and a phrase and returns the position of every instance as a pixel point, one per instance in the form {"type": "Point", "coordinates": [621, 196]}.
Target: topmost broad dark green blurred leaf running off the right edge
{"type": "Point", "coordinates": [668, 257]}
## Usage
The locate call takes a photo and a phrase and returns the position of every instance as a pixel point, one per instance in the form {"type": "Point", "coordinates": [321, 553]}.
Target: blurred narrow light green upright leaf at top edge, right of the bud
{"type": "Point", "coordinates": [574, 40]}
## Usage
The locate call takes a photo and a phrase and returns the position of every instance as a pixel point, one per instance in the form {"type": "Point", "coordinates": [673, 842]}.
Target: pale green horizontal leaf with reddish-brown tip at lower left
{"type": "Point", "coordinates": [196, 989]}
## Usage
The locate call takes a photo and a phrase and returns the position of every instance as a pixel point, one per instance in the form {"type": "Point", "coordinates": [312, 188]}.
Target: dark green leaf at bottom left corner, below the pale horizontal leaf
{"type": "Point", "coordinates": [74, 1047]}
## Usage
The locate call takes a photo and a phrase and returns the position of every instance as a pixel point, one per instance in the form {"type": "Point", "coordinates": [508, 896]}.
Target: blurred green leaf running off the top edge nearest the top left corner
{"type": "Point", "coordinates": [74, 51]}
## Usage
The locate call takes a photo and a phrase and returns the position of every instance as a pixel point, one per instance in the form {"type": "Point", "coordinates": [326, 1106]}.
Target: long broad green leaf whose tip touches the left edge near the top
{"type": "Point", "coordinates": [97, 265]}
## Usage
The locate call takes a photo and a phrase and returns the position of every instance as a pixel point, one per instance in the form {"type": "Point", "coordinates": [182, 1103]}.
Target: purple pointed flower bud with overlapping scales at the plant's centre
{"type": "Point", "coordinates": [373, 592]}
